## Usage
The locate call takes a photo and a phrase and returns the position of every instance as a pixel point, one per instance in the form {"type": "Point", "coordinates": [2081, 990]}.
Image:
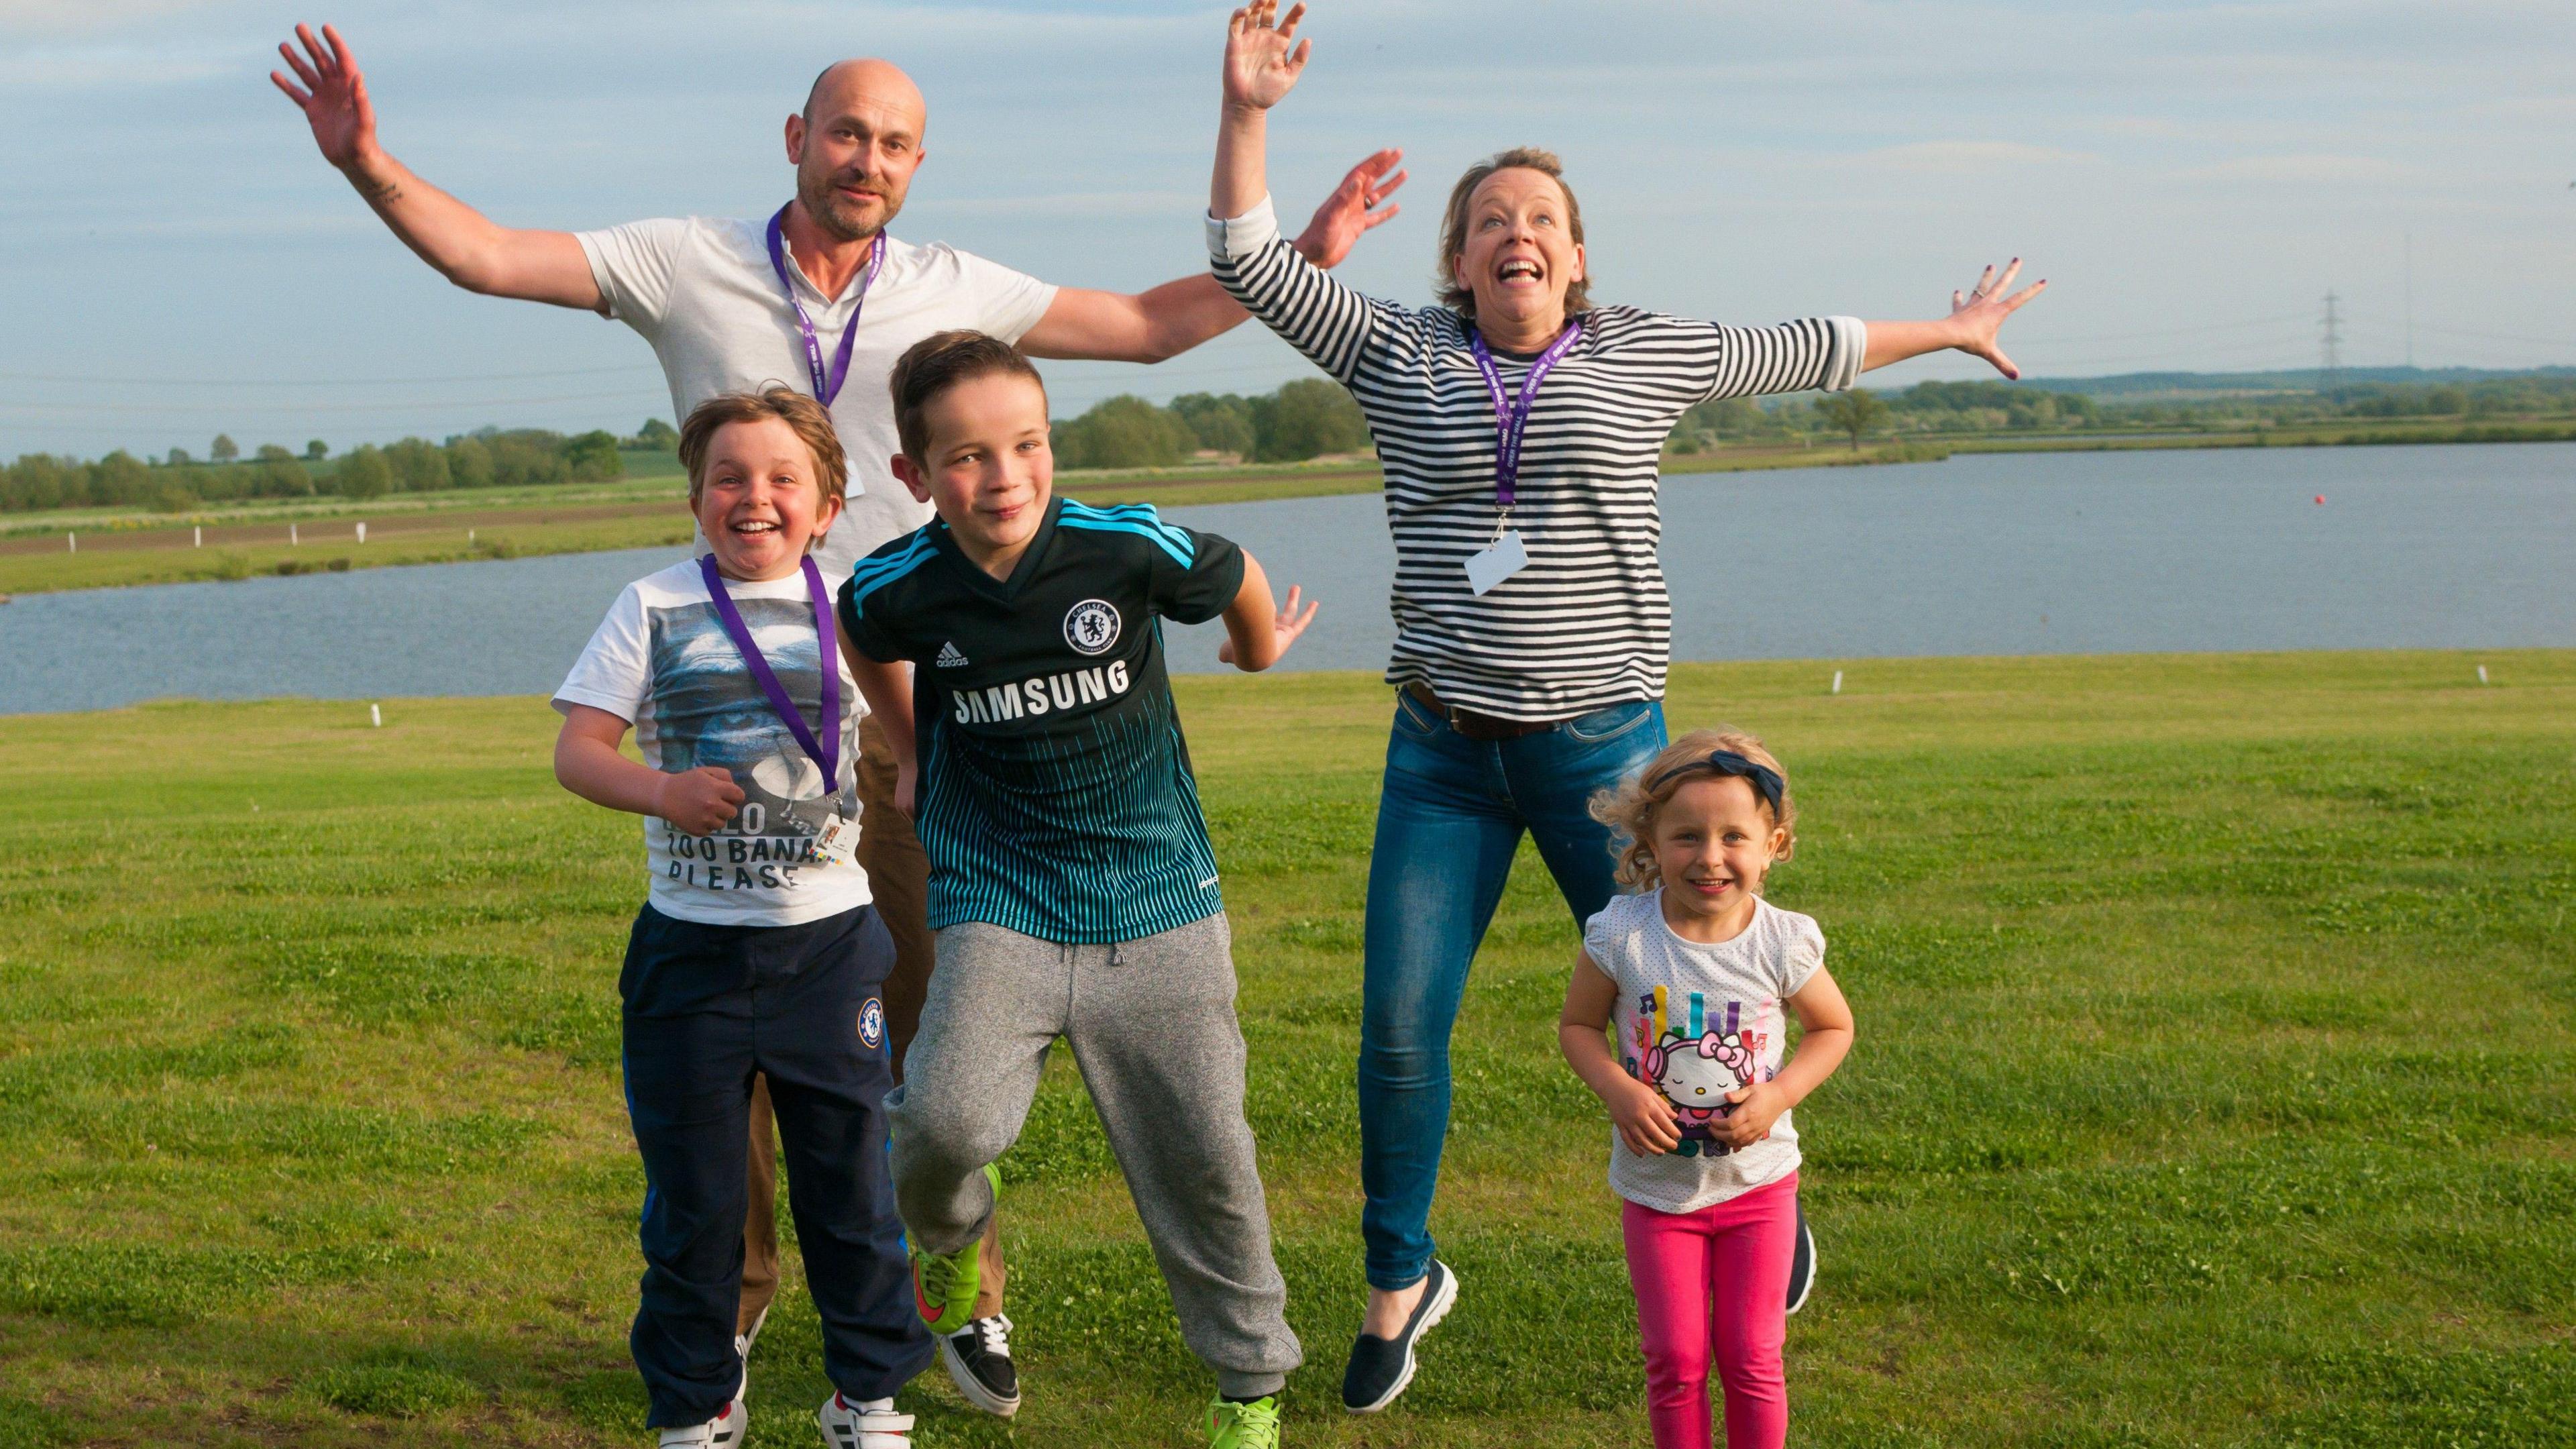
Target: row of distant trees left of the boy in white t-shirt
{"type": "Point", "coordinates": [470, 460]}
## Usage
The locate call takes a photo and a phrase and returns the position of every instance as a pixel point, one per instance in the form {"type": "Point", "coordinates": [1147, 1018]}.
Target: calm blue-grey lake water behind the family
{"type": "Point", "coordinates": [1977, 556]}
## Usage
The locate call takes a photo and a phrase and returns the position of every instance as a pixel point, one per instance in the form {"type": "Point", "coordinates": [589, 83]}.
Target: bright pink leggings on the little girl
{"type": "Point", "coordinates": [1714, 1285]}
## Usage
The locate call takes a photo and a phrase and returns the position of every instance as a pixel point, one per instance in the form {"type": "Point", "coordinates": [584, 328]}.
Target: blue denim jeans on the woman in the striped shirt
{"type": "Point", "coordinates": [1449, 824]}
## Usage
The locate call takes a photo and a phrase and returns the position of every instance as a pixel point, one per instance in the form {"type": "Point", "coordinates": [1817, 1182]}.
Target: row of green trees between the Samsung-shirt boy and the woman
{"type": "Point", "coordinates": [1292, 424]}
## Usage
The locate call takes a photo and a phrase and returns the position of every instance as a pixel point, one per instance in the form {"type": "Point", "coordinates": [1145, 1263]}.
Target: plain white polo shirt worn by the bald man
{"type": "Point", "coordinates": [705, 295]}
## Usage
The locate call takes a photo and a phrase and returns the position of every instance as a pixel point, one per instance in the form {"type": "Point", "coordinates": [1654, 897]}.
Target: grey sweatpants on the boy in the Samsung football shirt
{"type": "Point", "coordinates": [1153, 1030]}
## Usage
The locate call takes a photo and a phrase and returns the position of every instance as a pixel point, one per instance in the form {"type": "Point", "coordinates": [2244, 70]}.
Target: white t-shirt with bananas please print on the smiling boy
{"type": "Point", "coordinates": [666, 664]}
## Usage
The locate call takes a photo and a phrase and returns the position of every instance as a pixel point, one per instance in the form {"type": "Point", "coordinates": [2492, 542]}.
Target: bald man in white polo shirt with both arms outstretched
{"type": "Point", "coordinates": [820, 298]}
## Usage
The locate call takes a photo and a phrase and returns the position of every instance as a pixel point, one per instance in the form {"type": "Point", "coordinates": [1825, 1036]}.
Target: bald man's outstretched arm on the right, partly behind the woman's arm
{"type": "Point", "coordinates": [1179, 316]}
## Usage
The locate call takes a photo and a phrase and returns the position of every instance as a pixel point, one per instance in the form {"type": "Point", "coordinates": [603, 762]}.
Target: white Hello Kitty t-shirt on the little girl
{"type": "Point", "coordinates": [1699, 1022]}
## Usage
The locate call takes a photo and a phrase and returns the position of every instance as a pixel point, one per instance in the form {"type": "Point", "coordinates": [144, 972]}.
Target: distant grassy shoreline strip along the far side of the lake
{"type": "Point", "coordinates": [321, 535]}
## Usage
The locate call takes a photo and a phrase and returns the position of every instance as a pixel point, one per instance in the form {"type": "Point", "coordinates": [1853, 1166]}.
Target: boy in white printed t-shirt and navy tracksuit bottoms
{"type": "Point", "coordinates": [759, 948]}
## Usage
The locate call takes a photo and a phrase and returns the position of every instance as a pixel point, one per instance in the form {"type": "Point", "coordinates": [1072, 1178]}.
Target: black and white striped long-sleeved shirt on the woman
{"type": "Point", "coordinates": [1588, 623]}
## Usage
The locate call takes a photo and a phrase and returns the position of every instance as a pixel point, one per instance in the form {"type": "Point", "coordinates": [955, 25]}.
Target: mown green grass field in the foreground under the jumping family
{"type": "Point", "coordinates": [2217, 1079]}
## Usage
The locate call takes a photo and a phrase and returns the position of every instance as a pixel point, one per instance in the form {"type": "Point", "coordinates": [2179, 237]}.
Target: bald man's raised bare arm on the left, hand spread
{"type": "Point", "coordinates": [460, 241]}
